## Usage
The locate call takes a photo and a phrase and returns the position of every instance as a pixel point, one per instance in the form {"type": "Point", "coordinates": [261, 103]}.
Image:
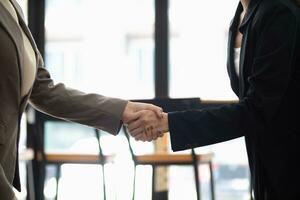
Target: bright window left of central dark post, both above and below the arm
{"type": "Point", "coordinates": [104, 47]}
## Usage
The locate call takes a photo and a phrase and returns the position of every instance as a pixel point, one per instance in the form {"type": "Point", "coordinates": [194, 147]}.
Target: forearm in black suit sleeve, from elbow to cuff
{"type": "Point", "coordinates": [195, 128]}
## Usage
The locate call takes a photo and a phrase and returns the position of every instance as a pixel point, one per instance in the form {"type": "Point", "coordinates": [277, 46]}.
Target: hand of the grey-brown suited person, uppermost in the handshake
{"type": "Point", "coordinates": [132, 108]}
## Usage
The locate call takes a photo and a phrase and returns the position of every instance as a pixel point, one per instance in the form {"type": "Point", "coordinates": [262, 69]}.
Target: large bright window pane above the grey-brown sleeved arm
{"type": "Point", "coordinates": [102, 46]}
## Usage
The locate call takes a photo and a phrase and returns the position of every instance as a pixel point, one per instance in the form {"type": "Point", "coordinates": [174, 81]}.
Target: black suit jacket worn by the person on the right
{"type": "Point", "coordinates": [267, 113]}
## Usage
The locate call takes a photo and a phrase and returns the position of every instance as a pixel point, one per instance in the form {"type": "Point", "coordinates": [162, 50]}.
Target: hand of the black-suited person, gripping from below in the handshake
{"type": "Point", "coordinates": [148, 126]}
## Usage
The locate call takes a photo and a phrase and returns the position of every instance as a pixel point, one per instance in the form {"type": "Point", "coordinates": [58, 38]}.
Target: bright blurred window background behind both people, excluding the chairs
{"type": "Point", "coordinates": [115, 48]}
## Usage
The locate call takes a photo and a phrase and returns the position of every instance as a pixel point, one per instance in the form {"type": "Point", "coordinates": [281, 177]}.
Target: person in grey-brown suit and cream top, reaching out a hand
{"type": "Point", "coordinates": [24, 79]}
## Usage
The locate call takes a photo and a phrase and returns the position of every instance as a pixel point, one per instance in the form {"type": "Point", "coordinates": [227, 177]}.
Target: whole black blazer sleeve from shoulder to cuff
{"type": "Point", "coordinates": [271, 68]}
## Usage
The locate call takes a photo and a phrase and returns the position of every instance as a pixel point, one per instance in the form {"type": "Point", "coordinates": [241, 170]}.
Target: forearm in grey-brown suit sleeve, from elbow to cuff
{"type": "Point", "coordinates": [88, 109]}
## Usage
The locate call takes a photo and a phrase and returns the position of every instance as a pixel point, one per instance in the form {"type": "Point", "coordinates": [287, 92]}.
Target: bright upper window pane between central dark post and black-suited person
{"type": "Point", "coordinates": [198, 42]}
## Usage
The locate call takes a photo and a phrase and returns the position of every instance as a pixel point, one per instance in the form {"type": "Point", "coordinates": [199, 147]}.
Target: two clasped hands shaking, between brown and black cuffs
{"type": "Point", "coordinates": [145, 122]}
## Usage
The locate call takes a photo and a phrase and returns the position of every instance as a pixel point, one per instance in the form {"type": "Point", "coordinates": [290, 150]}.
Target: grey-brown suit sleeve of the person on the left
{"type": "Point", "coordinates": [72, 105]}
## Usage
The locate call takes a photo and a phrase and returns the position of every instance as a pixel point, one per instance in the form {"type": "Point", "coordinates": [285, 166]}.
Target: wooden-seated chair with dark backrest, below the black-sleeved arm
{"type": "Point", "coordinates": [192, 159]}
